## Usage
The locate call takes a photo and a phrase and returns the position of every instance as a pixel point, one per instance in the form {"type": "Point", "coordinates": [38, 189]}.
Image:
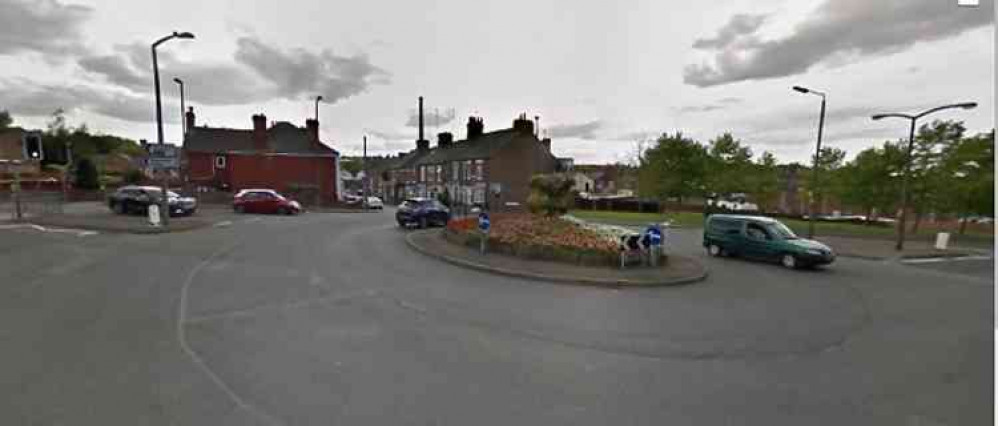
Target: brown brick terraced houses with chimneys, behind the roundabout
{"type": "Point", "coordinates": [486, 168]}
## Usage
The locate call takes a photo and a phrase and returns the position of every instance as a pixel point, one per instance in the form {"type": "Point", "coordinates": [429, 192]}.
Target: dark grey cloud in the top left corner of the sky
{"type": "Point", "coordinates": [42, 26]}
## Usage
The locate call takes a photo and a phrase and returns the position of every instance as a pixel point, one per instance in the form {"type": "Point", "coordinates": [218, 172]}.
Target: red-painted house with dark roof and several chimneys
{"type": "Point", "coordinates": [283, 157]}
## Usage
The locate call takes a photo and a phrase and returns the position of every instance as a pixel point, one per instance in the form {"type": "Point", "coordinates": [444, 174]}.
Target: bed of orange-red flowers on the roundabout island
{"type": "Point", "coordinates": [537, 237]}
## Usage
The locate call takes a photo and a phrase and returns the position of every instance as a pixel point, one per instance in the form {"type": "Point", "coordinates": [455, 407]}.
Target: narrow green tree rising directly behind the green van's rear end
{"type": "Point", "coordinates": [728, 161]}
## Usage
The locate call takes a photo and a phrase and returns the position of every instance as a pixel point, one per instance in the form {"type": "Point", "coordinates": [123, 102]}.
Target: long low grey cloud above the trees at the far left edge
{"type": "Point", "coordinates": [23, 98]}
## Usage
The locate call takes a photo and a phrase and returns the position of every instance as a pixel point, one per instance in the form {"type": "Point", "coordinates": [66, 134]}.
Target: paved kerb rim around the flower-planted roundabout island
{"type": "Point", "coordinates": [674, 270]}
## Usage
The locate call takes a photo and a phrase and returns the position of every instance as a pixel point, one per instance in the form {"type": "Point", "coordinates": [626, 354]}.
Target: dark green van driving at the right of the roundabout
{"type": "Point", "coordinates": [762, 238]}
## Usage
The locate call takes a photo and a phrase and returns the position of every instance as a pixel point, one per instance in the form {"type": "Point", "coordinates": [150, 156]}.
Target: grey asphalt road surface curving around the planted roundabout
{"type": "Point", "coordinates": [330, 319]}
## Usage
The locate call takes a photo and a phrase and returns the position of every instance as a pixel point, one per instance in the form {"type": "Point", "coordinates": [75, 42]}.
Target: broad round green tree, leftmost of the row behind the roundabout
{"type": "Point", "coordinates": [674, 167]}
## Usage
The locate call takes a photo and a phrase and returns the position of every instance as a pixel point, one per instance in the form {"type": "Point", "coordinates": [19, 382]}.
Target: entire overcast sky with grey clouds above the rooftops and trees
{"type": "Point", "coordinates": [600, 75]}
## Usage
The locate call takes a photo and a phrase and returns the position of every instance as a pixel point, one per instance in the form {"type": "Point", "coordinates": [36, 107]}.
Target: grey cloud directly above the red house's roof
{"type": "Point", "coordinates": [297, 72]}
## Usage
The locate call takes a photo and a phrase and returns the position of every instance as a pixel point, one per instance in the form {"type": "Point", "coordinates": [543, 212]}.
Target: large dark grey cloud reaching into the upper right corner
{"type": "Point", "coordinates": [839, 29]}
